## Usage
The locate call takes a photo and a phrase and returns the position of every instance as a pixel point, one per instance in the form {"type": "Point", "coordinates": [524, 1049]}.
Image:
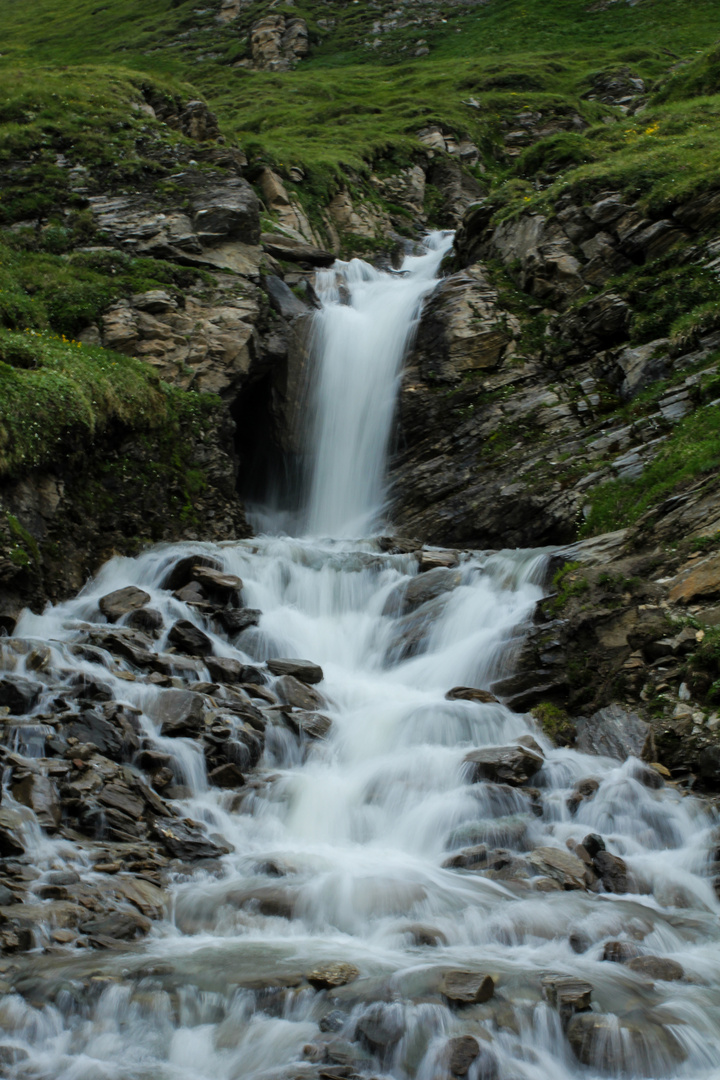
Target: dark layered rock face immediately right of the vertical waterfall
{"type": "Point", "coordinates": [507, 421]}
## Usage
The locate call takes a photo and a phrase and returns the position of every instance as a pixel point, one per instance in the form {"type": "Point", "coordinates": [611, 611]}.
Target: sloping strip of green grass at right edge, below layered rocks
{"type": "Point", "coordinates": [691, 452]}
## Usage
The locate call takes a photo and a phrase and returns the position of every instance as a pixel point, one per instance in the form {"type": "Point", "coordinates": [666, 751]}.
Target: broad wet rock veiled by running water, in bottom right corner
{"type": "Point", "coordinates": [605, 1043]}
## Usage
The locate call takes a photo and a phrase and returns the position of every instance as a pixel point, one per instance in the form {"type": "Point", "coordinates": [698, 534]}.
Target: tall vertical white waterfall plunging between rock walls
{"type": "Point", "coordinates": [363, 333]}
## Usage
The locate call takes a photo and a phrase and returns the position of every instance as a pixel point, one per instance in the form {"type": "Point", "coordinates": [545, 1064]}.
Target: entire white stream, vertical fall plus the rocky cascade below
{"type": "Point", "coordinates": [365, 867]}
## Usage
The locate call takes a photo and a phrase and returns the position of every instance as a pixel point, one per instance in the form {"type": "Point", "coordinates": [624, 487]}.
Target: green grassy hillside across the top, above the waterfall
{"type": "Point", "coordinates": [71, 74]}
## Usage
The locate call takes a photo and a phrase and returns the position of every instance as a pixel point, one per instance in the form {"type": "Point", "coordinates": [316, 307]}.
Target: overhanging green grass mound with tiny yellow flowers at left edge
{"type": "Point", "coordinates": [57, 396]}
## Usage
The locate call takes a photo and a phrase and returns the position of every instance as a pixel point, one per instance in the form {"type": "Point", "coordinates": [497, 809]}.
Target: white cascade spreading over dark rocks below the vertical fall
{"type": "Point", "coordinates": [351, 834]}
